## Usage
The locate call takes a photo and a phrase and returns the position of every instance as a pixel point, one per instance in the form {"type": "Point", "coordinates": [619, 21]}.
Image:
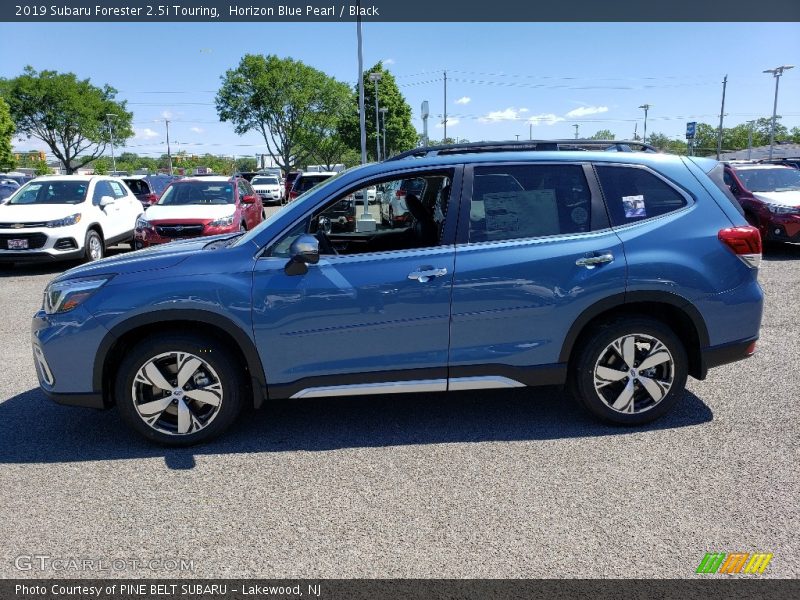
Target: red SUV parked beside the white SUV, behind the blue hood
{"type": "Point", "coordinates": [199, 207]}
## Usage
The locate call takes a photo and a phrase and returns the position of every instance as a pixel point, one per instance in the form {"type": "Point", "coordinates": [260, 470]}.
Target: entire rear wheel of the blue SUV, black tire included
{"type": "Point", "coordinates": [619, 393]}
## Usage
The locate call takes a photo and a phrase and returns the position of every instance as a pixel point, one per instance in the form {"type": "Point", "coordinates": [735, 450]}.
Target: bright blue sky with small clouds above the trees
{"type": "Point", "coordinates": [502, 77]}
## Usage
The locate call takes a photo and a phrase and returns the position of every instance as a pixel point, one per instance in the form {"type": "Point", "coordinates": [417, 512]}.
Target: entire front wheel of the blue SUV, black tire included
{"type": "Point", "coordinates": [169, 419]}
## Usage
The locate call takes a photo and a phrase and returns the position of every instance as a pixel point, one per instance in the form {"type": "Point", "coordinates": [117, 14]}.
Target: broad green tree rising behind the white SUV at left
{"type": "Point", "coordinates": [67, 114]}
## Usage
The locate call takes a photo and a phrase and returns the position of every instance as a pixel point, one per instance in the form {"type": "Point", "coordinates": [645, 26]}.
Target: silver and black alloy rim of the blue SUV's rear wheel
{"type": "Point", "coordinates": [634, 373]}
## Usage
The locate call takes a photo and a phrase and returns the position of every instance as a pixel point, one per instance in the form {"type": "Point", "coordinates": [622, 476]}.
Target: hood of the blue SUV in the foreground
{"type": "Point", "coordinates": [162, 256]}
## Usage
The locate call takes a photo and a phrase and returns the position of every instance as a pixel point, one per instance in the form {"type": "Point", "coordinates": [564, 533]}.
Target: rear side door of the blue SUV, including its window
{"type": "Point", "coordinates": [536, 251]}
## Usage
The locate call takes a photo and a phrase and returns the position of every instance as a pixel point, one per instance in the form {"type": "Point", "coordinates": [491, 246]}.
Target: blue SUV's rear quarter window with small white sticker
{"type": "Point", "coordinates": [634, 194]}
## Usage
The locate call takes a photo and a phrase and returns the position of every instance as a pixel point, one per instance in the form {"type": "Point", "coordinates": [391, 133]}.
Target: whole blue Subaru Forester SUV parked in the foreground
{"type": "Point", "coordinates": [618, 274]}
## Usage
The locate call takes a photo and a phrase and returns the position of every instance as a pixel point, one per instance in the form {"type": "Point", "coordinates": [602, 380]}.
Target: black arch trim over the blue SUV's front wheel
{"type": "Point", "coordinates": [258, 380]}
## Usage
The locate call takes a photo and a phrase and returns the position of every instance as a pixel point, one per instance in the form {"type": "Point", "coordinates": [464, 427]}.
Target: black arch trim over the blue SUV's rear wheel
{"type": "Point", "coordinates": [617, 300]}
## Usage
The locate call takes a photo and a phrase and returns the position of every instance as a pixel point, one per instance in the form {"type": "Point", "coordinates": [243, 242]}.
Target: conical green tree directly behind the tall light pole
{"type": "Point", "coordinates": [400, 132]}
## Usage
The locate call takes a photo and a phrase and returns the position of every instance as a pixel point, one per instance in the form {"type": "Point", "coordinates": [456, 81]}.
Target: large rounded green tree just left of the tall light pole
{"type": "Point", "coordinates": [292, 105]}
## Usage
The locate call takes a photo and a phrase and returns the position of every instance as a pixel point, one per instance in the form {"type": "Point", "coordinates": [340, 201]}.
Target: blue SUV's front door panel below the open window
{"type": "Point", "coordinates": [353, 320]}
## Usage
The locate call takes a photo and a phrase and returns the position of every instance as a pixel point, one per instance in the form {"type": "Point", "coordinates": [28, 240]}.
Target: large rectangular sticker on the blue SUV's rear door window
{"type": "Point", "coordinates": [528, 213]}
